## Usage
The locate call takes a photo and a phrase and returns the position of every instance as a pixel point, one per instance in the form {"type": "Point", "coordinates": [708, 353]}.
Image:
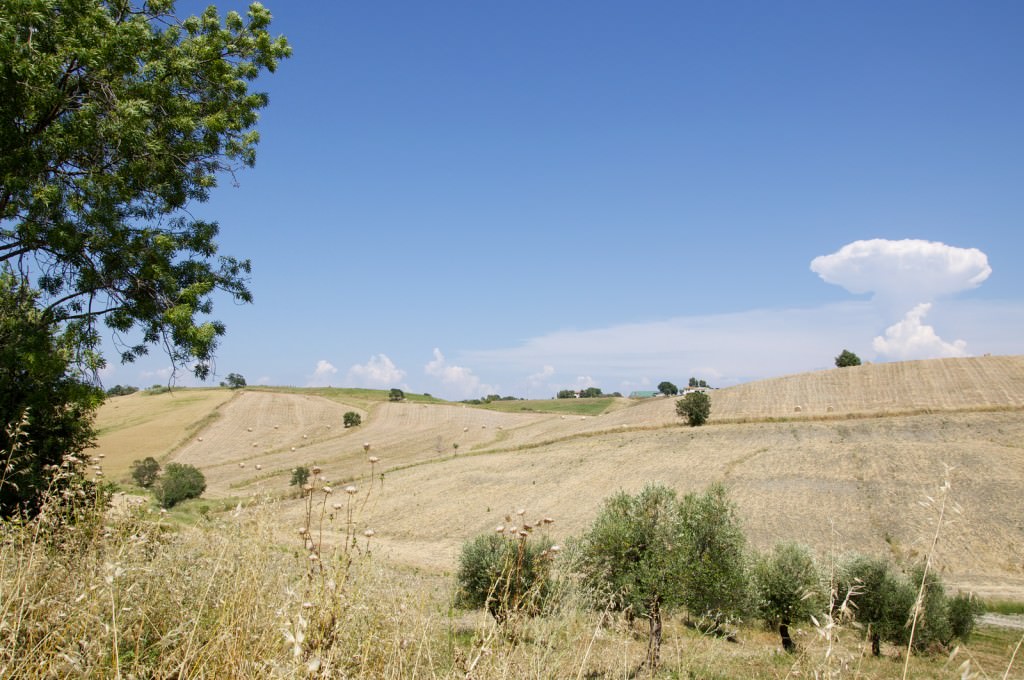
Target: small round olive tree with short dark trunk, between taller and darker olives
{"type": "Point", "coordinates": [789, 587]}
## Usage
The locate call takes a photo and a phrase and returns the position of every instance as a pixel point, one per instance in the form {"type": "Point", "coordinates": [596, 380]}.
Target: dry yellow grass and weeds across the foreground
{"type": "Point", "coordinates": [135, 594]}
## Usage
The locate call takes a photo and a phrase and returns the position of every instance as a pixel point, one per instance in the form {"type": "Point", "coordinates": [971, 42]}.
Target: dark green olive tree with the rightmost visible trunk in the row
{"type": "Point", "coordinates": [882, 599]}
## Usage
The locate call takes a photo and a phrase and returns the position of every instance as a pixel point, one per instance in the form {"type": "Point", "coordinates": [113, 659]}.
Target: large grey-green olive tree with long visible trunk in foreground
{"type": "Point", "coordinates": [633, 555]}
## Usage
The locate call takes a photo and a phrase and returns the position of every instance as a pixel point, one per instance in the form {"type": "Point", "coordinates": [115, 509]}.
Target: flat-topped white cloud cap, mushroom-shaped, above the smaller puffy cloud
{"type": "Point", "coordinates": [904, 273]}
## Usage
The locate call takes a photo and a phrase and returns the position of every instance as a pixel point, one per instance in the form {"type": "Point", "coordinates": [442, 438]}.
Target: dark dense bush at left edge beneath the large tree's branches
{"type": "Point", "coordinates": [47, 407]}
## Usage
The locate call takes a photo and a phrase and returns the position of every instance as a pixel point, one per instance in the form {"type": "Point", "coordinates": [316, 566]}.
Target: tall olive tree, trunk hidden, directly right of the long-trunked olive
{"type": "Point", "coordinates": [716, 581]}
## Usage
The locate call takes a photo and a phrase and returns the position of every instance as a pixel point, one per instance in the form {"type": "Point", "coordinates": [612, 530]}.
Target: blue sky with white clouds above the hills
{"type": "Point", "coordinates": [468, 198]}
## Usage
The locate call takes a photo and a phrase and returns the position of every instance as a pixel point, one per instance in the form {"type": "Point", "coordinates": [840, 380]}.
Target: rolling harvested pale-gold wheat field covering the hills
{"type": "Point", "coordinates": [854, 470]}
